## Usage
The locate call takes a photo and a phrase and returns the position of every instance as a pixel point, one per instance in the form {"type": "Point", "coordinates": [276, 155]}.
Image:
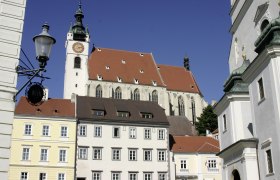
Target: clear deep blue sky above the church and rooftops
{"type": "Point", "coordinates": [168, 29]}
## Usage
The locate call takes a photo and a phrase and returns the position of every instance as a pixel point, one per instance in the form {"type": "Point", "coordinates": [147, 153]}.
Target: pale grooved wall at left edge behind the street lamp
{"type": "Point", "coordinates": [11, 27]}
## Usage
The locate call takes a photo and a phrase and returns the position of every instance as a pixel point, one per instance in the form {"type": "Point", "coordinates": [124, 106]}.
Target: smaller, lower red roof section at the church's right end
{"type": "Point", "coordinates": [178, 79]}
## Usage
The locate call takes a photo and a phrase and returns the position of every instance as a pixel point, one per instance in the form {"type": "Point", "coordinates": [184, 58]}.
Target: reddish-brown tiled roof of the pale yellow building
{"type": "Point", "coordinates": [49, 108]}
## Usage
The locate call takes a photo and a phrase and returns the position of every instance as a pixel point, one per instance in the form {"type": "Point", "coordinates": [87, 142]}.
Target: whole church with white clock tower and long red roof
{"type": "Point", "coordinates": [121, 74]}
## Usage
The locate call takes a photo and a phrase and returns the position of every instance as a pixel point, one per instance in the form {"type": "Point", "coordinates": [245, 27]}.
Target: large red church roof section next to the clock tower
{"type": "Point", "coordinates": [125, 65]}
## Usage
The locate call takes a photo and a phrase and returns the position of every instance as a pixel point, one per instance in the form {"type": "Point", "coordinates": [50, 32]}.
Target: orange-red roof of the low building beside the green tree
{"type": "Point", "coordinates": [195, 144]}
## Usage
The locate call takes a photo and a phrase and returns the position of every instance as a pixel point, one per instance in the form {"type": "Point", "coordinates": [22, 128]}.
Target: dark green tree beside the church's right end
{"type": "Point", "coordinates": [207, 121]}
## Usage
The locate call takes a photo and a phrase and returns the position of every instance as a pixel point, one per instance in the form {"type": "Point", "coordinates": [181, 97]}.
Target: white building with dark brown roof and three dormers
{"type": "Point", "coordinates": [121, 139]}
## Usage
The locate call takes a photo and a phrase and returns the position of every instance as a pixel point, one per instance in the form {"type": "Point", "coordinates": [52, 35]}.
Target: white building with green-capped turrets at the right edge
{"type": "Point", "coordinates": [248, 112]}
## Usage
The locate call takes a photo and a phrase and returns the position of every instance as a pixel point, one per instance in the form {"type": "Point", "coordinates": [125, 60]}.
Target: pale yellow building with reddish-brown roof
{"type": "Point", "coordinates": [43, 141]}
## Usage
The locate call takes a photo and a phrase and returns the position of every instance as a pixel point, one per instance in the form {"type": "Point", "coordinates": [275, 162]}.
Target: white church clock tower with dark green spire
{"type": "Point", "coordinates": [77, 49]}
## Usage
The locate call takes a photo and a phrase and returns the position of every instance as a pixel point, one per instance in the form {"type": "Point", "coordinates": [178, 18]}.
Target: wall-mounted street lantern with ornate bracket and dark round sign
{"type": "Point", "coordinates": [43, 44]}
